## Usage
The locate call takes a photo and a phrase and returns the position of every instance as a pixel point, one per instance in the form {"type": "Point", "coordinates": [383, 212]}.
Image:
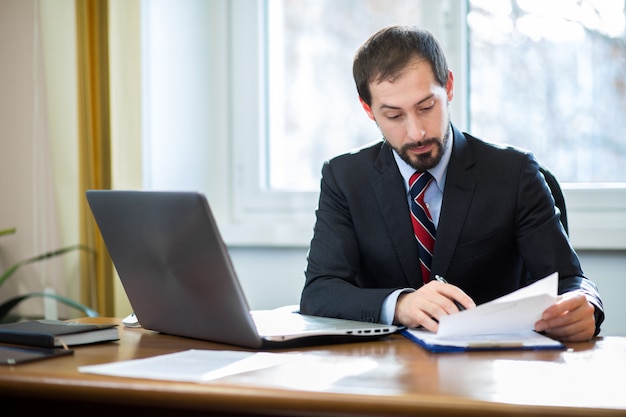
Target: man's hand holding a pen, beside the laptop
{"type": "Point", "coordinates": [426, 305]}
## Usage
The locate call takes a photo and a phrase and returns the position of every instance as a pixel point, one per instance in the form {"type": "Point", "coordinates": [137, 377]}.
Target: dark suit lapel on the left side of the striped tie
{"type": "Point", "coordinates": [391, 197]}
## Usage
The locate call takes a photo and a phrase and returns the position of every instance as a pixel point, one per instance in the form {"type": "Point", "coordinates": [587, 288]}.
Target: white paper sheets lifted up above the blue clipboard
{"type": "Point", "coordinates": [514, 312]}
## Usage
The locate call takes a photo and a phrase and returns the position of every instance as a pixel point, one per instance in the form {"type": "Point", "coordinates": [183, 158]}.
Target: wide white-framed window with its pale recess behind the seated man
{"type": "Point", "coordinates": [273, 97]}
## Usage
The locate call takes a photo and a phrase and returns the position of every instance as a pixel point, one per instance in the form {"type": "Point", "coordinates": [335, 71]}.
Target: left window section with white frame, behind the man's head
{"type": "Point", "coordinates": [304, 101]}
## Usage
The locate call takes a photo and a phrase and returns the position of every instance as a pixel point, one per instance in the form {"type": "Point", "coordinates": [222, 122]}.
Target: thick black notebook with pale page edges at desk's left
{"type": "Point", "coordinates": [56, 333]}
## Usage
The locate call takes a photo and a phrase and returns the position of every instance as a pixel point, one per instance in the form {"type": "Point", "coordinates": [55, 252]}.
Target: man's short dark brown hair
{"type": "Point", "coordinates": [387, 52]}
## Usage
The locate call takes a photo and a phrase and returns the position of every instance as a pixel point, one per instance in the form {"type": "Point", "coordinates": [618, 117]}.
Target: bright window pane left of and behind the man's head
{"type": "Point", "coordinates": [313, 106]}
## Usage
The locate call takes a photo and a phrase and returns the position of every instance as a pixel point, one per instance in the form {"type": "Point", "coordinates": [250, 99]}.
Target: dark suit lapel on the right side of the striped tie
{"type": "Point", "coordinates": [457, 195]}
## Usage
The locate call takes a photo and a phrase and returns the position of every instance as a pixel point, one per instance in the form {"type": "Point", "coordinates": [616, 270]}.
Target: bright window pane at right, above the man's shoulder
{"type": "Point", "coordinates": [550, 76]}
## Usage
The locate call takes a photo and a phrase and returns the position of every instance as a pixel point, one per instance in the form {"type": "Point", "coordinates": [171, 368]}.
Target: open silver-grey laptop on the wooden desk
{"type": "Point", "coordinates": [179, 279]}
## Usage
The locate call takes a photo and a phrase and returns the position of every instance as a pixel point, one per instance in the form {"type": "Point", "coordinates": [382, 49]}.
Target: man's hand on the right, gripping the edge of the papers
{"type": "Point", "coordinates": [570, 319]}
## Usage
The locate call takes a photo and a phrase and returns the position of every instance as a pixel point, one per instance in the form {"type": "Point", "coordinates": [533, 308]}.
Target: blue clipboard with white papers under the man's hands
{"type": "Point", "coordinates": [504, 323]}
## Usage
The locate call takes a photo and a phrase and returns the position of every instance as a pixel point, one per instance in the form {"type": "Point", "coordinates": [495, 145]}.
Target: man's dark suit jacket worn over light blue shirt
{"type": "Point", "coordinates": [498, 231]}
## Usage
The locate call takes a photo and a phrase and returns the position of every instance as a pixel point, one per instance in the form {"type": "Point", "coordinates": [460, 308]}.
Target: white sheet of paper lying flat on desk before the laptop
{"type": "Point", "coordinates": [192, 365]}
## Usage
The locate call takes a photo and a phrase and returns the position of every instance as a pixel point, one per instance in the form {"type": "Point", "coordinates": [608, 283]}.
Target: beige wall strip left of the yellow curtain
{"type": "Point", "coordinates": [28, 139]}
